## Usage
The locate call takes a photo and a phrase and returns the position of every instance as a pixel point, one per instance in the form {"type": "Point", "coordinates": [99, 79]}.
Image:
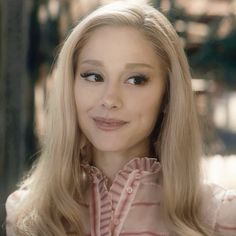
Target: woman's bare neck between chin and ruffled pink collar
{"type": "Point", "coordinates": [111, 162]}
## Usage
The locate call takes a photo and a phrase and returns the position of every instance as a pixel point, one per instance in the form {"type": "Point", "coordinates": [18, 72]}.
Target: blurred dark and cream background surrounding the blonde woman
{"type": "Point", "coordinates": [32, 32]}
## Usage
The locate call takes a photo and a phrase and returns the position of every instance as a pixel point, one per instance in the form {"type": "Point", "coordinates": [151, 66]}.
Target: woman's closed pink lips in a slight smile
{"type": "Point", "coordinates": [108, 124]}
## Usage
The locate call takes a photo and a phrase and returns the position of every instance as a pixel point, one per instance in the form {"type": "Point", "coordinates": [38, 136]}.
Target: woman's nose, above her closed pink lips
{"type": "Point", "coordinates": [112, 97]}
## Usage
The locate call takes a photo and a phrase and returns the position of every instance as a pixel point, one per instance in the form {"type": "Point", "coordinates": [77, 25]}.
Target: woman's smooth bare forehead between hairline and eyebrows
{"type": "Point", "coordinates": [119, 43]}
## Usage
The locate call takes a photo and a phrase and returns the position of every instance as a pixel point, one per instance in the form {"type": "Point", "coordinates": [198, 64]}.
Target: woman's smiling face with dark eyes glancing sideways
{"type": "Point", "coordinates": [118, 89]}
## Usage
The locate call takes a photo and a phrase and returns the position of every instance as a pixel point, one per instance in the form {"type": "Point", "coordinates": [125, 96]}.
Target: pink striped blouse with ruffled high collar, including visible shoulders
{"type": "Point", "coordinates": [132, 204]}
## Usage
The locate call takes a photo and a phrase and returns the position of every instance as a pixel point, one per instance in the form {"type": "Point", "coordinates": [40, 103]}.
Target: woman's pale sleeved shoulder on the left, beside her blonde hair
{"type": "Point", "coordinates": [12, 203]}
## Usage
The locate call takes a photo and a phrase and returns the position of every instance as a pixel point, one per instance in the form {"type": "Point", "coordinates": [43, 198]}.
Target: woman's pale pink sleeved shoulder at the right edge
{"type": "Point", "coordinates": [223, 202]}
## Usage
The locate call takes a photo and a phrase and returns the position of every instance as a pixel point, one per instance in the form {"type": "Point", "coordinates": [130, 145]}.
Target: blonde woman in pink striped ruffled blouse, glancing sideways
{"type": "Point", "coordinates": [121, 152]}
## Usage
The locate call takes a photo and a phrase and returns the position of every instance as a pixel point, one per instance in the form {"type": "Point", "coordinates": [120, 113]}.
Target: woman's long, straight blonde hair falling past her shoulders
{"type": "Point", "coordinates": [56, 182]}
